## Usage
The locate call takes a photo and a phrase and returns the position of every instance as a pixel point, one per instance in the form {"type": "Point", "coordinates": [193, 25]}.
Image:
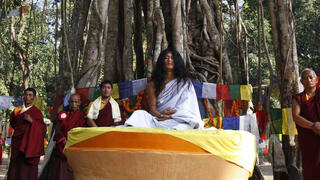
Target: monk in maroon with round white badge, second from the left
{"type": "Point", "coordinates": [58, 167]}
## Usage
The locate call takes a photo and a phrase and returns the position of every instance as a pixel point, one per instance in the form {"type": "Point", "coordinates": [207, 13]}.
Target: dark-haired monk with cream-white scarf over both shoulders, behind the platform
{"type": "Point", "coordinates": [104, 111]}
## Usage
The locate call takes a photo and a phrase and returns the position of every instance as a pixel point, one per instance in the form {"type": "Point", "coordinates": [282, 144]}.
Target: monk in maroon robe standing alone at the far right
{"type": "Point", "coordinates": [306, 114]}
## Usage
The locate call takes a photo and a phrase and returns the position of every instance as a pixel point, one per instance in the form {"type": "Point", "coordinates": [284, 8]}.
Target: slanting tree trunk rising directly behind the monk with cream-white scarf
{"type": "Point", "coordinates": [96, 44]}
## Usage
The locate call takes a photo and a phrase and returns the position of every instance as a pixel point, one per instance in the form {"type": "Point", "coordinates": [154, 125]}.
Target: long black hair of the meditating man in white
{"type": "Point", "coordinates": [180, 70]}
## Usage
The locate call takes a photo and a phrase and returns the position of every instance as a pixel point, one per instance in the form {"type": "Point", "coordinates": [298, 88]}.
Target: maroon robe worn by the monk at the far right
{"type": "Point", "coordinates": [309, 142]}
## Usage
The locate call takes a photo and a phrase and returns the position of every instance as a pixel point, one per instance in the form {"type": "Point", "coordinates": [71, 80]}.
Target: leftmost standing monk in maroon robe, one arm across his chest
{"type": "Point", "coordinates": [27, 143]}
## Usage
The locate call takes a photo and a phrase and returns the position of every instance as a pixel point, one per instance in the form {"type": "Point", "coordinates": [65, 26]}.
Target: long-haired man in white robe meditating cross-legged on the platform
{"type": "Point", "coordinates": [171, 97]}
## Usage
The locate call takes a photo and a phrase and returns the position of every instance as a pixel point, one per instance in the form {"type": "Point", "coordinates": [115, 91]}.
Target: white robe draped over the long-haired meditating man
{"type": "Point", "coordinates": [180, 97]}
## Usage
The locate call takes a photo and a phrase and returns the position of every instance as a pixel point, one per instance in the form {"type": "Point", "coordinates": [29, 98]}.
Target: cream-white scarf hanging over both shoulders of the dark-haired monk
{"type": "Point", "coordinates": [93, 112]}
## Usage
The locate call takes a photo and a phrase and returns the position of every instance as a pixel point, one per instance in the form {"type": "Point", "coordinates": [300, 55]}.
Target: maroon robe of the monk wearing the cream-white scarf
{"type": "Point", "coordinates": [105, 117]}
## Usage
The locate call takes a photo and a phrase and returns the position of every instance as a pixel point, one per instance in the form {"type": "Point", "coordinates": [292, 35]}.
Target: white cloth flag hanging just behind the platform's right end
{"type": "Point", "coordinates": [249, 123]}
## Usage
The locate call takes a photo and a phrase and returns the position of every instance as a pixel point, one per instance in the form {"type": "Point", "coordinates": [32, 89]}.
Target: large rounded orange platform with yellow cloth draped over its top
{"type": "Point", "coordinates": [145, 154]}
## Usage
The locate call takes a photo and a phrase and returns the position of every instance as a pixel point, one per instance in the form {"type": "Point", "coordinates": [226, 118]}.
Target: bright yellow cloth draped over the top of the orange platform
{"type": "Point", "coordinates": [238, 147]}
